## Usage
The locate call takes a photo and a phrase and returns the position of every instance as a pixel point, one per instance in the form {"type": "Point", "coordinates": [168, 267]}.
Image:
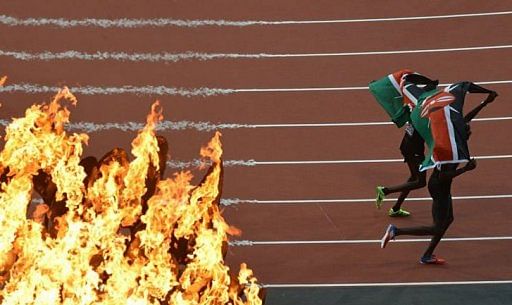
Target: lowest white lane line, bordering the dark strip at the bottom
{"type": "Point", "coordinates": [446, 283]}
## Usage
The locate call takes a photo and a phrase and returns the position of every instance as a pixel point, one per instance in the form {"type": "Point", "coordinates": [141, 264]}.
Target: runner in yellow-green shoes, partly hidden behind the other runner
{"type": "Point", "coordinates": [412, 146]}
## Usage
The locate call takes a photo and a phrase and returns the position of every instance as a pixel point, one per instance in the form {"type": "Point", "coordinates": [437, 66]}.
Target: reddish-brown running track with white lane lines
{"type": "Point", "coordinates": [306, 249]}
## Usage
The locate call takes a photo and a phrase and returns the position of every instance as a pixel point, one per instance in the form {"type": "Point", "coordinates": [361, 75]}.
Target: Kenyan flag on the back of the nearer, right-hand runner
{"type": "Point", "coordinates": [440, 121]}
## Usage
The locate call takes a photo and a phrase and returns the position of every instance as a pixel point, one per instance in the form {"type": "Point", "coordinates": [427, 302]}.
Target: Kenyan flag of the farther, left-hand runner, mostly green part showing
{"type": "Point", "coordinates": [388, 94]}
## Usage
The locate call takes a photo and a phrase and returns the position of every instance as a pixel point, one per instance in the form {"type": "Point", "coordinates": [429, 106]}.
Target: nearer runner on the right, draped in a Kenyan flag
{"type": "Point", "coordinates": [446, 134]}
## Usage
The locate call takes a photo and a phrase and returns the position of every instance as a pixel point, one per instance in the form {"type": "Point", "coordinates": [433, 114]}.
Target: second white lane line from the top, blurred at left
{"type": "Point", "coordinates": [175, 57]}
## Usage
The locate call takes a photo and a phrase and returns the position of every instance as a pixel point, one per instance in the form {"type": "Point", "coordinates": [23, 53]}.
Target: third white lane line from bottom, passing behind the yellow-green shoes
{"type": "Point", "coordinates": [233, 201]}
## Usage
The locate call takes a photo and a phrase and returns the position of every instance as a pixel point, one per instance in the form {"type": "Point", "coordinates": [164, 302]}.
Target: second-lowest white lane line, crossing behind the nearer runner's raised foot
{"type": "Point", "coordinates": [248, 243]}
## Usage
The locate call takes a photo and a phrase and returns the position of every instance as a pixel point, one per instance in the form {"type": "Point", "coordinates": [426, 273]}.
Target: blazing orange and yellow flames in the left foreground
{"type": "Point", "coordinates": [110, 231]}
